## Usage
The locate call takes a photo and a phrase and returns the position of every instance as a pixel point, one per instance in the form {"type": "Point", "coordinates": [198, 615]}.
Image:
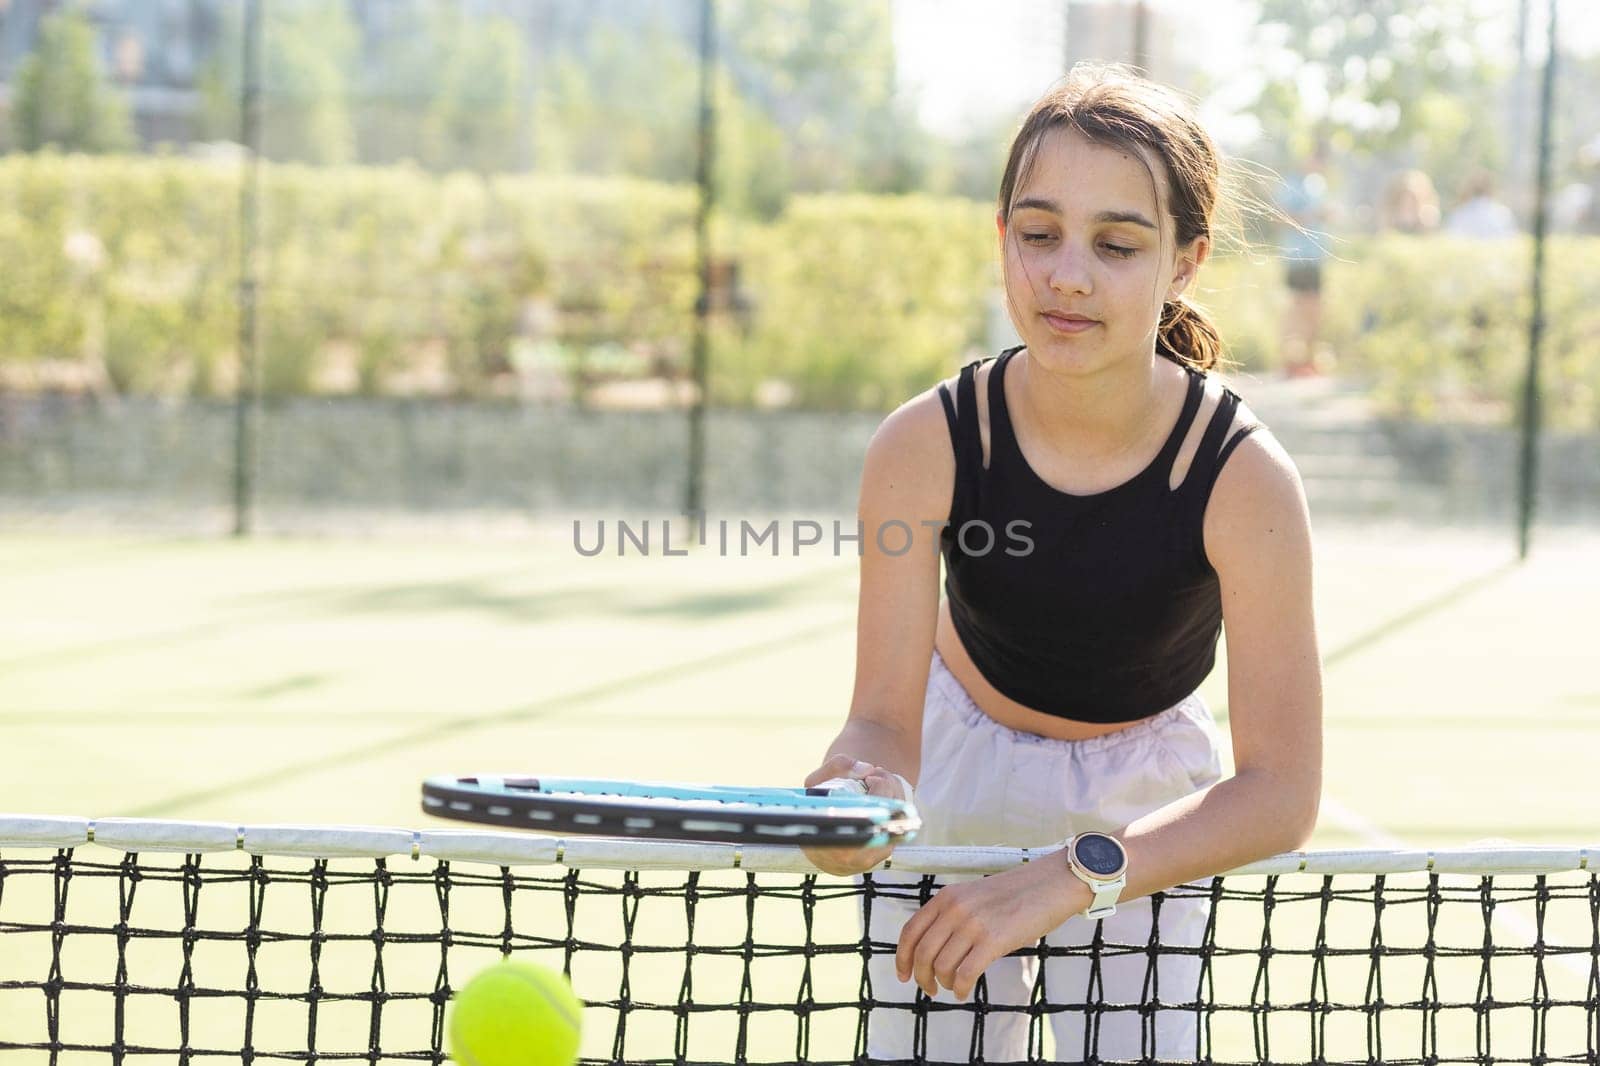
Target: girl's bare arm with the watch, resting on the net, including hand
{"type": "Point", "coordinates": [1258, 539]}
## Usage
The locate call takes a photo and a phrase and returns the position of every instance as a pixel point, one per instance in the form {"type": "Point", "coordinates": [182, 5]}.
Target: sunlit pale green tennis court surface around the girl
{"type": "Point", "coordinates": [318, 681]}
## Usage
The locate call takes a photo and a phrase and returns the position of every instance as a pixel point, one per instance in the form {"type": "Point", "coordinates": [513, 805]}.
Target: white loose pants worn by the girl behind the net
{"type": "Point", "coordinates": [986, 785]}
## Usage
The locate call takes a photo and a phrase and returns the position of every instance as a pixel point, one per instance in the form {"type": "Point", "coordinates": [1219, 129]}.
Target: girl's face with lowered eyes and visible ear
{"type": "Point", "coordinates": [1089, 255]}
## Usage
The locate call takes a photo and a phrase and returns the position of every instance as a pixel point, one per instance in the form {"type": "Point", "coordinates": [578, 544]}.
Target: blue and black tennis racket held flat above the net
{"type": "Point", "coordinates": [834, 814]}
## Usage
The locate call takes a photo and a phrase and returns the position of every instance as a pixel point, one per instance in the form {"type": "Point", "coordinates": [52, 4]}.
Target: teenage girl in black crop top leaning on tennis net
{"type": "Point", "coordinates": [1105, 508]}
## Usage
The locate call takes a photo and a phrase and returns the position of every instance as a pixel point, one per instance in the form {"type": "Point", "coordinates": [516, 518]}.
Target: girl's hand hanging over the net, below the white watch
{"type": "Point", "coordinates": [969, 926]}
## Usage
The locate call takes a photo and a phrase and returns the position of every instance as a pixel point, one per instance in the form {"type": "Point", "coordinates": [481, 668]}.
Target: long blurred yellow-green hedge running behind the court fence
{"type": "Point", "coordinates": [385, 279]}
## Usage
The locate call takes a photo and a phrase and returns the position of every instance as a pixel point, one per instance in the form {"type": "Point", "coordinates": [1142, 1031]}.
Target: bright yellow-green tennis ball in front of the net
{"type": "Point", "coordinates": [516, 1014]}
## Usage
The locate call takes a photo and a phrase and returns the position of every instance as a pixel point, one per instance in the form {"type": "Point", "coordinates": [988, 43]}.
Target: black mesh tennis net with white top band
{"type": "Point", "coordinates": [145, 942]}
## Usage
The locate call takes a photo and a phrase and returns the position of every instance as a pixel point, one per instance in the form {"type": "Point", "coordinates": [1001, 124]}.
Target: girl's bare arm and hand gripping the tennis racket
{"type": "Point", "coordinates": [906, 487]}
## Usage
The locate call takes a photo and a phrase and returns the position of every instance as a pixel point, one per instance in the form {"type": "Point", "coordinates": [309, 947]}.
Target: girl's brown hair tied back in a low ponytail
{"type": "Point", "coordinates": [1116, 106]}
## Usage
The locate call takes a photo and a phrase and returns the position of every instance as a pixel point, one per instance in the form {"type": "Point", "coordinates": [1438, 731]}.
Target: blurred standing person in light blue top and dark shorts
{"type": "Point", "coordinates": [1305, 204]}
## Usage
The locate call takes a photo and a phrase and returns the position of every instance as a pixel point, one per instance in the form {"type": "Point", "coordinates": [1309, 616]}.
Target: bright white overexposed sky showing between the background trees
{"type": "Point", "coordinates": [970, 60]}
